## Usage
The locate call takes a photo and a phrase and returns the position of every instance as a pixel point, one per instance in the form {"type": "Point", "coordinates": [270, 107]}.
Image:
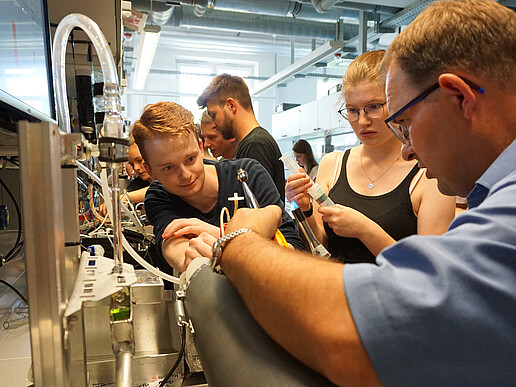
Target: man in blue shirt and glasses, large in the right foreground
{"type": "Point", "coordinates": [435, 310]}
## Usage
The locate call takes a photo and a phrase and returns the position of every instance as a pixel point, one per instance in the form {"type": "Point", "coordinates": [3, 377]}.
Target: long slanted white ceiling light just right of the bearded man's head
{"type": "Point", "coordinates": [307, 61]}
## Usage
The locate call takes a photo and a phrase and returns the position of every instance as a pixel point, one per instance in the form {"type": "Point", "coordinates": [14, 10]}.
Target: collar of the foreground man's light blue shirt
{"type": "Point", "coordinates": [500, 168]}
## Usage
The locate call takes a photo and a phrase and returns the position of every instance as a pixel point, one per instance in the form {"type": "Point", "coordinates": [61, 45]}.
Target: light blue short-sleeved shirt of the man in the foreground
{"type": "Point", "coordinates": [441, 310]}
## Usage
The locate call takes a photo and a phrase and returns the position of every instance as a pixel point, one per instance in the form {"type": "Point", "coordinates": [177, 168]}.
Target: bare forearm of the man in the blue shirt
{"type": "Point", "coordinates": [300, 302]}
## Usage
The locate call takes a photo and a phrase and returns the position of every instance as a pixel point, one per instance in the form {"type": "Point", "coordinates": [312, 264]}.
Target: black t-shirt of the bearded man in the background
{"type": "Point", "coordinates": [261, 146]}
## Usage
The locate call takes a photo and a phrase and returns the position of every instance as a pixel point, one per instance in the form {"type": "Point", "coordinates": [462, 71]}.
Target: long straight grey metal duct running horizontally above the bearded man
{"type": "Point", "coordinates": [244, 22]}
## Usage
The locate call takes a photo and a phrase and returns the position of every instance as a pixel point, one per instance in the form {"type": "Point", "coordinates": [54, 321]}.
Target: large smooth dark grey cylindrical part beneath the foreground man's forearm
{"type": "Point", "coordinates": [234, 350]}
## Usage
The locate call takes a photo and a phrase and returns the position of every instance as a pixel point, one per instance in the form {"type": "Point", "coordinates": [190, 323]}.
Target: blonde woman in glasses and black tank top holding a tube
{"type": "Point", "coordinates": [380, 197]}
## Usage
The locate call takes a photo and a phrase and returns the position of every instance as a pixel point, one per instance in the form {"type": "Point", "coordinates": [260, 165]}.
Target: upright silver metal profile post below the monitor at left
{"type": "Point", "coordinates": [42, 202]}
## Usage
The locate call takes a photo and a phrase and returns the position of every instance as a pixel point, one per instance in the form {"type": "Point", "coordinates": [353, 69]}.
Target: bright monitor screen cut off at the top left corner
{"type": "Point", "coordinates": [25, 69]}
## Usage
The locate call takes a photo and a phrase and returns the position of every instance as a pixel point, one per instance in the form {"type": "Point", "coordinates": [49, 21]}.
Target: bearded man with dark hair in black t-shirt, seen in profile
{"type": "Point", "coordinates": [229, 105]}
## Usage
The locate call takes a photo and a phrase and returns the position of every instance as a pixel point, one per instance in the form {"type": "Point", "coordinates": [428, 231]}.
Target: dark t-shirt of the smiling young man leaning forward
{"type": "Point", "coordinates": [163, 207]}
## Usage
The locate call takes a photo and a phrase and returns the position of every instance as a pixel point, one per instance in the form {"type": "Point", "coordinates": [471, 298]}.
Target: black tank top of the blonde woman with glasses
{"type": "Point", "coordinates": [391, 211]}
